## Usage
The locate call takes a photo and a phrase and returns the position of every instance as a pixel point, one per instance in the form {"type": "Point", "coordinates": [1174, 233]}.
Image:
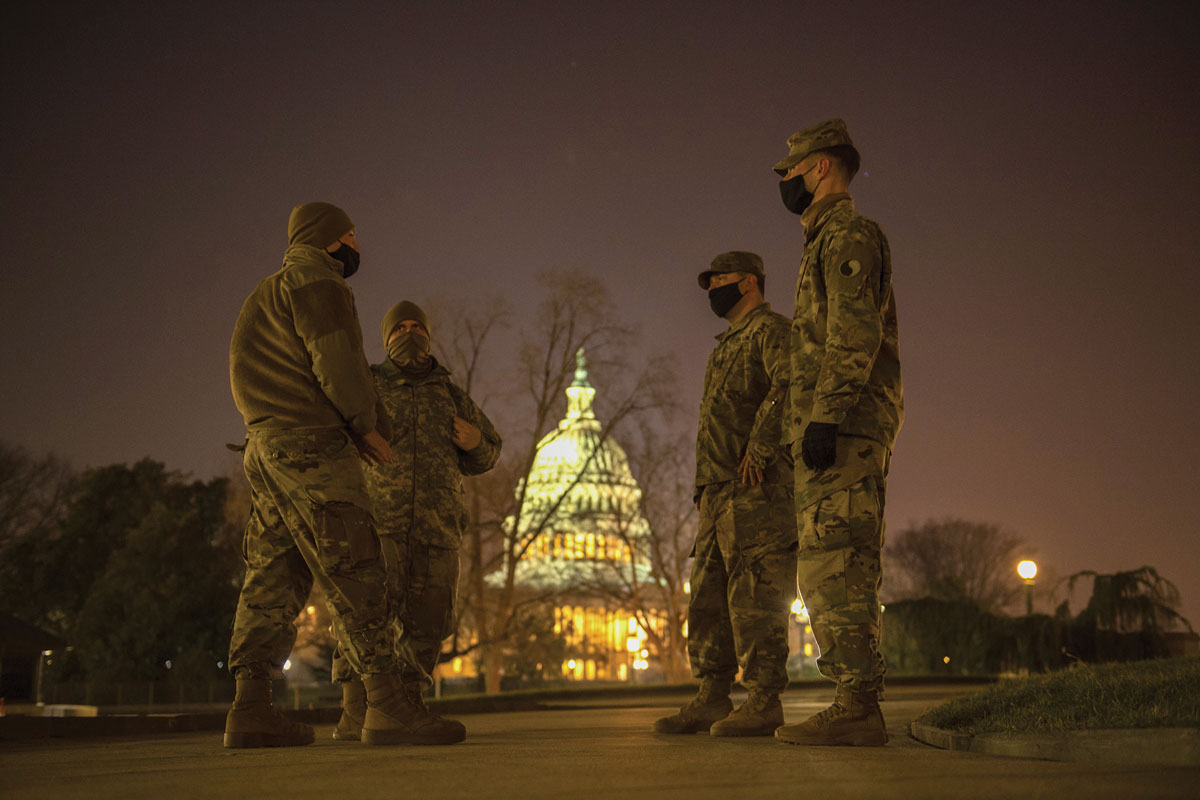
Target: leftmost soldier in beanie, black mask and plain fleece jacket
{"type": "Point", "coordinates": [304, 388]}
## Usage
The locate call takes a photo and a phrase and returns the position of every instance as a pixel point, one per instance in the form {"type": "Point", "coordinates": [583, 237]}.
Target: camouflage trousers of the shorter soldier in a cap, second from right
{"type": "Point", "coordinates": [743, 584]}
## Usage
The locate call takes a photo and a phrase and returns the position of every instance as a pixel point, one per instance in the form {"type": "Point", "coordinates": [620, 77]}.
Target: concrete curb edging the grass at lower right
{"type": "Point", "coordinates": [1159, 747]}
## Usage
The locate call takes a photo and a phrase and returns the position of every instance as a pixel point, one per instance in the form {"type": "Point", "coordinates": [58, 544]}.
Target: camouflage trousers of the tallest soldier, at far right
{"type": "Point", "coordinates": [839, 572]}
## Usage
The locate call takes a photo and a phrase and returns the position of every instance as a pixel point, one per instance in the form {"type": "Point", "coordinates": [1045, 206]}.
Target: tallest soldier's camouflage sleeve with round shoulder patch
{"type": "Point", "coordinates": [855, 327]}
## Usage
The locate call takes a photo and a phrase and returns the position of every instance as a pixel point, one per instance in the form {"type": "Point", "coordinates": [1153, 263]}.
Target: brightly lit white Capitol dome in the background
{"type": "Point", "coordinates": [583, 504]}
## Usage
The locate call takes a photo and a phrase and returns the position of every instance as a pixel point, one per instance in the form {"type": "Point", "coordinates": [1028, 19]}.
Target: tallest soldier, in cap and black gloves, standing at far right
{"type": "Point", "coordinates": [845, 410]}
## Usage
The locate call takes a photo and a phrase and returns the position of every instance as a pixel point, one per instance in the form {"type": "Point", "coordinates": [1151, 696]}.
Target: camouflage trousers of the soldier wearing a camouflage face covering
{"type": "Point", "coordinates": [423, 587]}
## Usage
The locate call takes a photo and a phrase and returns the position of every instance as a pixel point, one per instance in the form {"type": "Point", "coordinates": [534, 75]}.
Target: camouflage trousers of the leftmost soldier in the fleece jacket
{"type": "Point", "coordinates": [310, 521]}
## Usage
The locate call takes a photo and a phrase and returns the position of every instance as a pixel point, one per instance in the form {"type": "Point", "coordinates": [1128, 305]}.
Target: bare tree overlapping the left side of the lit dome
{"type": "Point", "coordinates": [577, 312]}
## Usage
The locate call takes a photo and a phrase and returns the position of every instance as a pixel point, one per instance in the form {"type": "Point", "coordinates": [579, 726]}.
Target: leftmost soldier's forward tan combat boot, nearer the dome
{"type": "Point", "coordinates": [395, 718]}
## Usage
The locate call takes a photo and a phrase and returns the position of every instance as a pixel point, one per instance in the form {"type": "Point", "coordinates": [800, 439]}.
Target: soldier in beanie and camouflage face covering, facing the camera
{"type": "Point", "coordinates": [440, 436]}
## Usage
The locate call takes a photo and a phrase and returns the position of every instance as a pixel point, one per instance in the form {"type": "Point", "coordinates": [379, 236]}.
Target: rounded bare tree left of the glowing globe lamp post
{"type": "Point", "coordinates": [956, 560]}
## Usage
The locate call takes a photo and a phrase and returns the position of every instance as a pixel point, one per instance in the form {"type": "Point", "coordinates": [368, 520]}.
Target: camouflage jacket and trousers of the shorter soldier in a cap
{"type": "Point", "coordinates": [743, 579]}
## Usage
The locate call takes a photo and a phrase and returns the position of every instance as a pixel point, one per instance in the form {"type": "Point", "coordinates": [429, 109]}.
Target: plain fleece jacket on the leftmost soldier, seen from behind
{"type": "Point", "coordinates": [296, 359]}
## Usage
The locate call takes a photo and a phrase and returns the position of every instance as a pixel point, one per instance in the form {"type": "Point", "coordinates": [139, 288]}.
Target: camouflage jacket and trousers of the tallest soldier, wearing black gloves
{"type": "Point", "coordinates": [845, 371]}
